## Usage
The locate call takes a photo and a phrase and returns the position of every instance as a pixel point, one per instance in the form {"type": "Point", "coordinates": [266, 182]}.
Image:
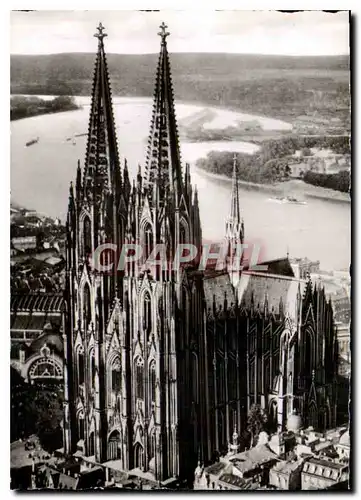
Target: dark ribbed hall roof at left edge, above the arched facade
{"type": "Point", "coordinates": [42, 302]}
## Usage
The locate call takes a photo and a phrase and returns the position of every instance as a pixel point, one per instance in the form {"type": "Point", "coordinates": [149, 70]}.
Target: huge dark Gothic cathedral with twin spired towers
{"type": "Point", "coordinates": [162, 365]}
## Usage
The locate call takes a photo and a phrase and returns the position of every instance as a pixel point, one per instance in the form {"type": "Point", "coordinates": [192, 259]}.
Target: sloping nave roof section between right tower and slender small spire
{"type": "Point", "coordinates": [217, 288]}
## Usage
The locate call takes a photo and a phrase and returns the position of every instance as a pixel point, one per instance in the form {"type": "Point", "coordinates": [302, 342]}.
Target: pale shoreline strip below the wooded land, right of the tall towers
{"type": "Point", "coordinates": [287, 188]}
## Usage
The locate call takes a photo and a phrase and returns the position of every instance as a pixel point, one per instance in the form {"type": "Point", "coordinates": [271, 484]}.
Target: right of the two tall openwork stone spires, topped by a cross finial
{"type": "Point", "coordinates": [163, 170]}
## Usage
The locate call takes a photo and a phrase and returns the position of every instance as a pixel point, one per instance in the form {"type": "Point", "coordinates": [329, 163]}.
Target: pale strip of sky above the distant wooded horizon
{"type": "Point", "coordinates": [134, 32]}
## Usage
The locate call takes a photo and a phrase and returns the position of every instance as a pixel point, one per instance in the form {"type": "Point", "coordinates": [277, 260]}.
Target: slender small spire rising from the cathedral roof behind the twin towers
{"type": "Point", "coordinates": [234, 231]}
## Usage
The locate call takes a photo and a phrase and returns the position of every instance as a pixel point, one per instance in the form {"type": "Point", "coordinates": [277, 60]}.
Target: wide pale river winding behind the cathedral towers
{"type": "Point", "coordinates": [40, 177]}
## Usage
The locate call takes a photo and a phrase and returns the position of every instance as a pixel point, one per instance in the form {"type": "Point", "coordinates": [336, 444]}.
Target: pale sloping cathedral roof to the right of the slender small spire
{"type": "Point", "coordinates": [260, 287]}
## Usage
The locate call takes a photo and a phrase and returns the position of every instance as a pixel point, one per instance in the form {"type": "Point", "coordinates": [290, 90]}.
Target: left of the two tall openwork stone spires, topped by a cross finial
{"type": "Point", "coordinates": [101, 170]}
